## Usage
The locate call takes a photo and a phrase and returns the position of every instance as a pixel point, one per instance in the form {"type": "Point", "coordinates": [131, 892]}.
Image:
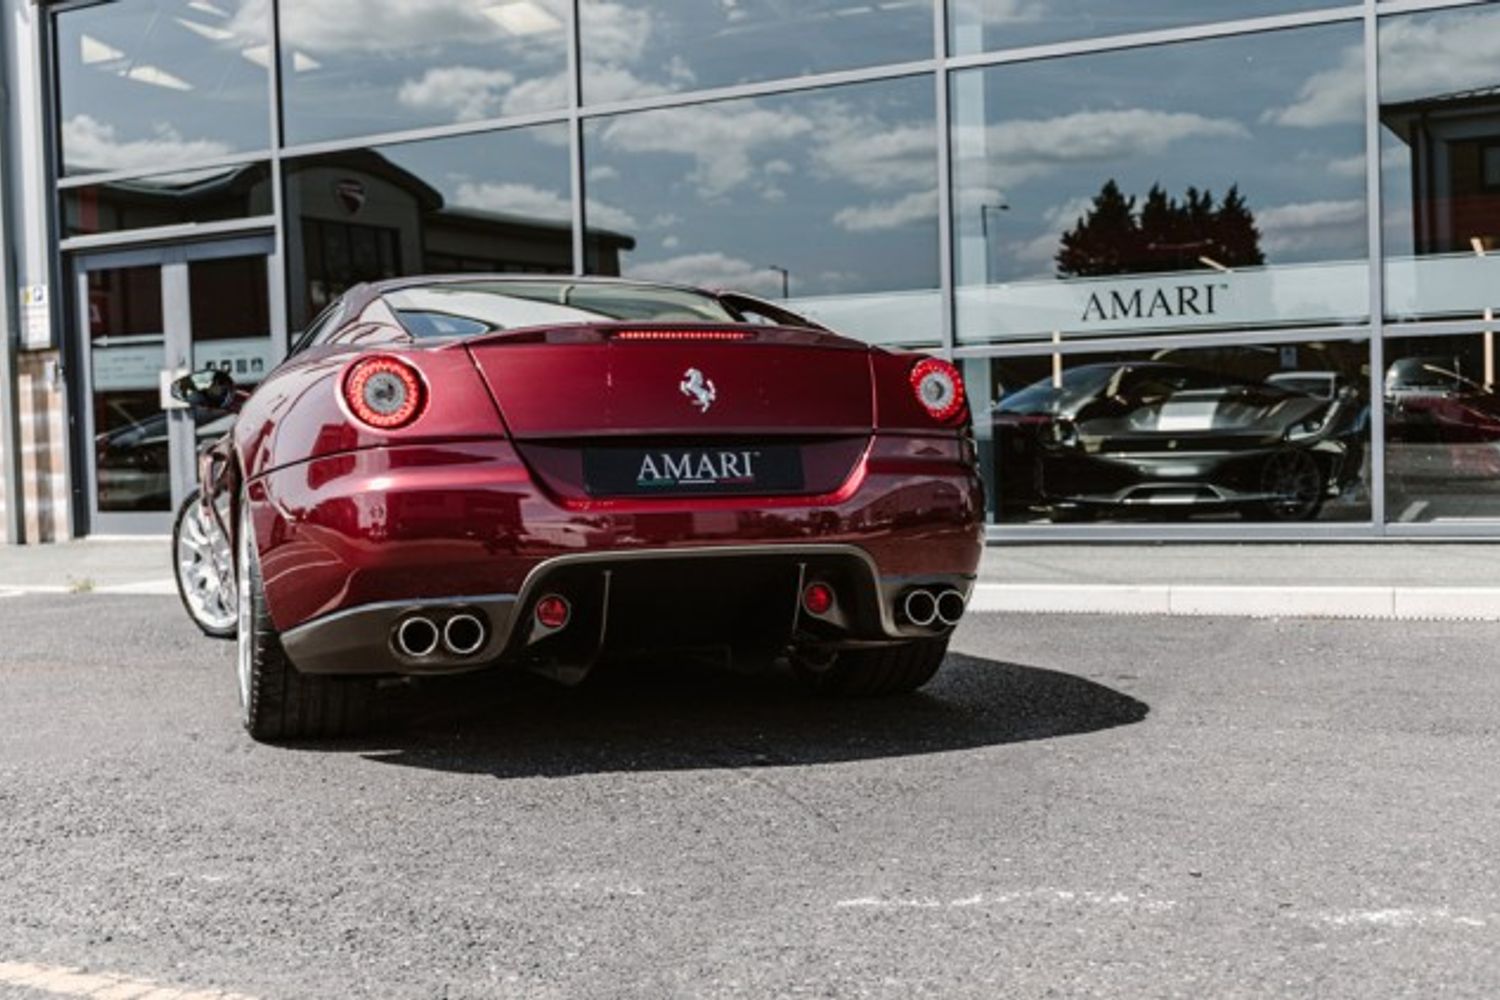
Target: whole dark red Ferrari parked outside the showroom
{"type": "Point", "coordinates": [451, 475]}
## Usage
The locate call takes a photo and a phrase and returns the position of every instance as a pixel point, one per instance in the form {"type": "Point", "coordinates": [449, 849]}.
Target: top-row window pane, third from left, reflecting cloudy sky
{"type": "Point", "coordinates": [637, 49]}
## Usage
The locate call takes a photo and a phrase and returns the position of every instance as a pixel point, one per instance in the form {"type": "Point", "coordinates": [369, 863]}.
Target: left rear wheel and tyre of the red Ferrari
{"type": "Point", "coordinates": [278, 701]}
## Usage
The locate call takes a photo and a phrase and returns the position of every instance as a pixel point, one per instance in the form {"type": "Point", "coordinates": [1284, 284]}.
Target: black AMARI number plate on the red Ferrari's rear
{"type": "Point", "coordinates": [635, 472]}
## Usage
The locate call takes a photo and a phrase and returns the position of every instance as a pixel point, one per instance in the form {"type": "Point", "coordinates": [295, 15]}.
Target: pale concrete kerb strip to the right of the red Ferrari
{"type": "Point", "coordinates": [1403, 603]}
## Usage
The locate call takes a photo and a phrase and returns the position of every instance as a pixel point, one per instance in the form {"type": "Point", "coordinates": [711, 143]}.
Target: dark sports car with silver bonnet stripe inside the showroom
{"type": "Point", "coordinates": [1115, 439]}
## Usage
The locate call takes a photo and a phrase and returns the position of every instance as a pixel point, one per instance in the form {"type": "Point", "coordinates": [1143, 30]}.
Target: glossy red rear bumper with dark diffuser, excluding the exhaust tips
{"type": "Point", "coordinates": [353, 545]}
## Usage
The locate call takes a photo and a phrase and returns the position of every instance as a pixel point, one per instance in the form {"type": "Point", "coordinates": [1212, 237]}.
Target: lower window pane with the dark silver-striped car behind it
{"type": "Point", "coordinates": [1264, 434]}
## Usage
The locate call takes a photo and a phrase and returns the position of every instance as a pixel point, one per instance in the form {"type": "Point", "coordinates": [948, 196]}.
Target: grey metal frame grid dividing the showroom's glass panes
{"type": "Point", "coordinates": [941, 67]}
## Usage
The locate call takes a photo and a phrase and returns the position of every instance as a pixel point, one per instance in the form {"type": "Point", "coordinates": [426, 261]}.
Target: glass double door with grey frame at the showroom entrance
{"type": "Point", "coordinates": [145, 319]}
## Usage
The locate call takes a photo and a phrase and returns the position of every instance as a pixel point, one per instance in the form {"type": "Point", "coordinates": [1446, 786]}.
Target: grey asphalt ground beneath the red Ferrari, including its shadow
{"type": "Point", "coordinates": [1078, 807]}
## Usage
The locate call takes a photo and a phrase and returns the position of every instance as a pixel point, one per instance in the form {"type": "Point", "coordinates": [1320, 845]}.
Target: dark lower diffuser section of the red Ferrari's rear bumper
{"type": "Point", "coordinates": [742, 597]}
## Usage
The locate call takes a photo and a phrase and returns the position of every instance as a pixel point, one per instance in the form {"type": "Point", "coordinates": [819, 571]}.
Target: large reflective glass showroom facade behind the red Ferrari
{"type": "Point", "coordinates": [1181, 251]}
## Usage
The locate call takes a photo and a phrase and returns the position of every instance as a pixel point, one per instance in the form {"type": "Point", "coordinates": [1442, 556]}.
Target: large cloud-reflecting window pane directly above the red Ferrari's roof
{"type": "Point", "coordinates": [826, 199]}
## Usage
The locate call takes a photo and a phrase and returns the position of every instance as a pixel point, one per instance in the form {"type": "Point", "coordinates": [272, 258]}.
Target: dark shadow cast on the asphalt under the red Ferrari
{"type": "Point", "coordinates": [686, 716]}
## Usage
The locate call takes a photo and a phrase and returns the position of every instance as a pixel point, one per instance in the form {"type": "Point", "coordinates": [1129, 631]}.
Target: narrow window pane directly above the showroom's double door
{"type": "Point", "coordinates": [211, 196]}
